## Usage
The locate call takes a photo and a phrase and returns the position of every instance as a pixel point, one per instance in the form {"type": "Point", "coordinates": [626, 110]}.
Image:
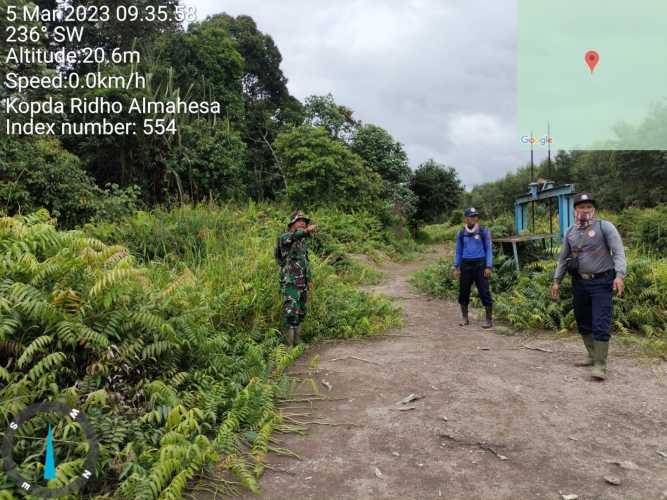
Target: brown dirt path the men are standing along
{"type": "Point", "coordinates": [556, 427]}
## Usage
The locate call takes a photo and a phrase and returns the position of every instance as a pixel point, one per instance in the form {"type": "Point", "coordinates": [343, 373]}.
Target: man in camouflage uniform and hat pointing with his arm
{"type": "Point", "coordinates": [292, 255]}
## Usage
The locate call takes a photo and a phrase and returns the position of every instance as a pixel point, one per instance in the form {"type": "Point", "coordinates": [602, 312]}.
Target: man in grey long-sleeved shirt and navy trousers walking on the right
{"type": "Point", "coordinates": [593, 254]}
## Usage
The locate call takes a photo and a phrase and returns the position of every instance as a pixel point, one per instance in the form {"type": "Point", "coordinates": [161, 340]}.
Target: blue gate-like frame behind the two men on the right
{"type": "Point", "coordinates": [564, 194]}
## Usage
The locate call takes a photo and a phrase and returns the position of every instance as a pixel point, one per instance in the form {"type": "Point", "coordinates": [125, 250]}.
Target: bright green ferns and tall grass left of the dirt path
{"type": "Point", "coordinates": [173, 359]}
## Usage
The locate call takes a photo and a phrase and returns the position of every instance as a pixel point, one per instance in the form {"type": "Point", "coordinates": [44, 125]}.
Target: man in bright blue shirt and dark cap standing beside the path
{"type": "Point", "coordinates": [473, 263]}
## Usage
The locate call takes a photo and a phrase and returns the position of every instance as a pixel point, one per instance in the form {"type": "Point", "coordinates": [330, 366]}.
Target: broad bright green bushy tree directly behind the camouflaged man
{"type": "Point", "coordinates": [320, 171]}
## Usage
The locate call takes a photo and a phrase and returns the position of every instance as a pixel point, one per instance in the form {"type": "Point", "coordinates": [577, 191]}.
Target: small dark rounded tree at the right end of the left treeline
{"type": "Point", "coordinates": [438, 190]}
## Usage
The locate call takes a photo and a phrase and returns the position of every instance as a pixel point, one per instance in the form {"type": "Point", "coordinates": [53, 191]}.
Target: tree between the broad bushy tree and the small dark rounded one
{"type": "Point", "coordinates": [382, 152]}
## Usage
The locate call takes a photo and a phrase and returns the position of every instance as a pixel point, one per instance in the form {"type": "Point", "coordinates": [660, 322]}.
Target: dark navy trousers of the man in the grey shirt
{"type": "Point", "coordinates": [592, 300]}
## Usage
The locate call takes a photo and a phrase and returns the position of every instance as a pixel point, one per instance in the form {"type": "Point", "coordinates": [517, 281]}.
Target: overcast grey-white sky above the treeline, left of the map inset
{"type": "Point", "coordinates": [439, 75]}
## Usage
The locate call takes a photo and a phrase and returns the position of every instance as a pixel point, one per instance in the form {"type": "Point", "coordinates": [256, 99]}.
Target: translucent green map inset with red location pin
{"type": "Point", "coordinates": [623, 103]}
